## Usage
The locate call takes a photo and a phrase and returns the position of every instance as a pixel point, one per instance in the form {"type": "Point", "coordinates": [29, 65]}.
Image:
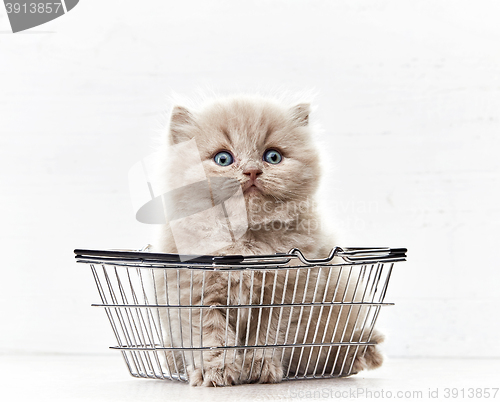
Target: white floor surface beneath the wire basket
{"type": "Point", "coordinates": [105, 378]}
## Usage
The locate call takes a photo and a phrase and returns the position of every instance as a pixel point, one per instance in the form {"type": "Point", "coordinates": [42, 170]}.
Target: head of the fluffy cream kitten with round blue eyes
{"type": "Point", "coordinates": [264, 145]}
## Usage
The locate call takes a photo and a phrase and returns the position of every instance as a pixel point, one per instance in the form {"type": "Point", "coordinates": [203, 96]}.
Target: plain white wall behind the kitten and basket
{"type": "Point", "coordinates": [409, 98]}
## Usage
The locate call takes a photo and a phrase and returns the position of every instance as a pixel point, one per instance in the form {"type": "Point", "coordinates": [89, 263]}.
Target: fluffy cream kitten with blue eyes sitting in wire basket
{"type": "Point", "coordinates": [267, 147]}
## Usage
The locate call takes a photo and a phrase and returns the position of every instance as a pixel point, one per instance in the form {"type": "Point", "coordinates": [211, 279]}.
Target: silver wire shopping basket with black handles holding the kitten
{"type": "Point", "coordinates": [175, 315]}
